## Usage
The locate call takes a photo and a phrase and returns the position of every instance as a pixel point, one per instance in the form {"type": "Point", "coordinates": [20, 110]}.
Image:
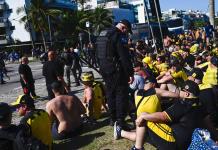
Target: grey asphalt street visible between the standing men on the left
{"type": "Point", "coordinates": [12, 89]}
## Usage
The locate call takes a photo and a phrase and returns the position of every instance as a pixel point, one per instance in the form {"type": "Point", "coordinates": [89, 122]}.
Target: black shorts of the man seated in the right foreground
{"type": "Point", "coordinates": [160, 143]}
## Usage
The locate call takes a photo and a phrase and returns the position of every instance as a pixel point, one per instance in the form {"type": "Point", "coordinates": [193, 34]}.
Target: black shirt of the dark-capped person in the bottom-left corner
{"type": "Point", "coordinates": [6, 144]}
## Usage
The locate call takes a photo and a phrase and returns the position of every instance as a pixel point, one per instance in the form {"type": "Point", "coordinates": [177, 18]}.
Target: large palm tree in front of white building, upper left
{"type": "Point", "coordinates": [37, 14]}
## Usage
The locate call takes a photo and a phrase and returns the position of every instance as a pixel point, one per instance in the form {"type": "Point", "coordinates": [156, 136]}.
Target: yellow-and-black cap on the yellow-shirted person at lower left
{"type": "Point", "coordinates": [24, 99]}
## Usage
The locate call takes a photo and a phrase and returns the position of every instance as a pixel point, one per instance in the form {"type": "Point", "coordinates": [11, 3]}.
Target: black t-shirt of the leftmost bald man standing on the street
{"type": "Point", "coordinates": [26, 71]}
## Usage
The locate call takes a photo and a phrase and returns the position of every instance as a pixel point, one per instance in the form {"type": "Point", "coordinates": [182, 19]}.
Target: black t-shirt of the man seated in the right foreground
{"type": "Point", "coordinates": [185, 117]}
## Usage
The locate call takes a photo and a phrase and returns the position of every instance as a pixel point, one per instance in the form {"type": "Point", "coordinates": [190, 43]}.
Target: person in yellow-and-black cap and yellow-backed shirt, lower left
{"type": "Point", "coordinates": [37, 119]}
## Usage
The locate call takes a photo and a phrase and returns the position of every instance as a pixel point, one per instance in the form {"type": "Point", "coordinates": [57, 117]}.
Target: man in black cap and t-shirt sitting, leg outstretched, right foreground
{"type": "Point", "coordinates": [170, 129]}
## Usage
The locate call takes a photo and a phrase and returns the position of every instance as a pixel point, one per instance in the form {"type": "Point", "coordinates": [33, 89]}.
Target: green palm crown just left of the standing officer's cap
{"type": "Point", "coordinates": [100, 19]}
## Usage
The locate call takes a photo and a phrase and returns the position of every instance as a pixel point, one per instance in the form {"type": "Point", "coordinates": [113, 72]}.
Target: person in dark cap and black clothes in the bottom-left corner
{"type": "Point", "coordinates": [7, 129]}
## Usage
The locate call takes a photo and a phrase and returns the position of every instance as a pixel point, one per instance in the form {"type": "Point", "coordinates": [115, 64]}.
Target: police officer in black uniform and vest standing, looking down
{"type": "Point", "coordinates": [116, 69]}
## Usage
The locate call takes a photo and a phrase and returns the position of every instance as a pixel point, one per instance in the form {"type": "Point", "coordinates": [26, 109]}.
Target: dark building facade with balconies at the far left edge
{"type": "Point", "coordinates": [6, 28]}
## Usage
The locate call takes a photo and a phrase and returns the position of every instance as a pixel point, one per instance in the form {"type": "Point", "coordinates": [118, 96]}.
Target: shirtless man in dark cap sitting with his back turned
{"type": "Point", "coordinates": [65, 112]}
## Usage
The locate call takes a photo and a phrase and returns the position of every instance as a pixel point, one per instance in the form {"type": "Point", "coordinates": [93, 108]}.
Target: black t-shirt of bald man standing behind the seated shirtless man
{"type": "Point", "coordinates": [51, 70]}
